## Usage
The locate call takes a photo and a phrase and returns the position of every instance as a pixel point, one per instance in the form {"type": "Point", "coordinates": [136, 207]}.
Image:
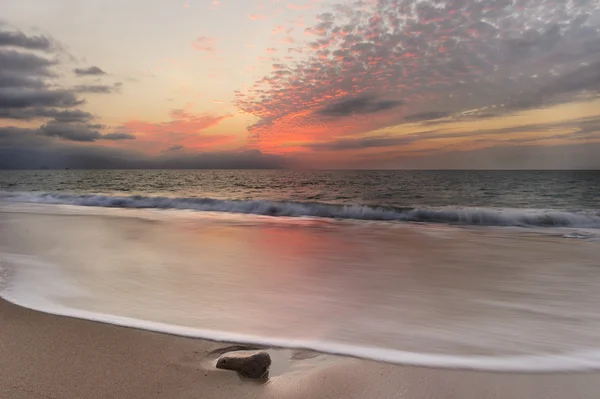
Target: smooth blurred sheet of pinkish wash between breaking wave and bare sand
{"type": "Point", "coordinates": [475, 298]}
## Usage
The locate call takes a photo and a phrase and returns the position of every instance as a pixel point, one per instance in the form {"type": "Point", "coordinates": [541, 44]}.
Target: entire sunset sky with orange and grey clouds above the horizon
{"type": "Point", "coordinates": [368, 84]}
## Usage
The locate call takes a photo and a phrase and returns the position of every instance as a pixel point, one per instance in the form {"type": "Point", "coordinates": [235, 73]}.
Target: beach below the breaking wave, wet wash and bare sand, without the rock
{"type": "Point", "coordinates": [139, 303]}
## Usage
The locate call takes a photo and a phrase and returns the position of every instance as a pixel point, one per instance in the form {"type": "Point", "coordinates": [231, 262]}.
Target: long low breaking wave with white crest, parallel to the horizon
{"type": "Point", "coordinates": [456, 215]}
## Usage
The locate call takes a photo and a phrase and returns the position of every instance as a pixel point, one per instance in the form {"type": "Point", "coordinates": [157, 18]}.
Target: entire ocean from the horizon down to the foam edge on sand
{"type": "Point", "coordinates": [486, 270]}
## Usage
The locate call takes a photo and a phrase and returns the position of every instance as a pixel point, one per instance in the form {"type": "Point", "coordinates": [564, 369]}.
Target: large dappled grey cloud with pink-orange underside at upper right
{"type": "Point", "coordinates": [441, 59]}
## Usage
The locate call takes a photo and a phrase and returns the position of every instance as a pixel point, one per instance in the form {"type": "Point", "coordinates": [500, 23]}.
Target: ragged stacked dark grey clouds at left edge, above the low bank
{"type": "Point", "coordinates": [28, 92]}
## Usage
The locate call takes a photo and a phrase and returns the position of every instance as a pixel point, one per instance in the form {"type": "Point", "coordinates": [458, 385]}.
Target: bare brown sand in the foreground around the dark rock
{"type": "Point", "coordinates": [50, 357]}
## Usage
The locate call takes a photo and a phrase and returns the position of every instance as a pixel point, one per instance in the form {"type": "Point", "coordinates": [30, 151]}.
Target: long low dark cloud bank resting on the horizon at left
{"type": "Point", "coordinates": [27, 149]}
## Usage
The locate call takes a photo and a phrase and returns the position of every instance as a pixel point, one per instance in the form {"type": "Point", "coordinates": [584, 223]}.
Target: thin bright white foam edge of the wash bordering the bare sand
{"type": "Point", "coordinates": [34, 294]}
